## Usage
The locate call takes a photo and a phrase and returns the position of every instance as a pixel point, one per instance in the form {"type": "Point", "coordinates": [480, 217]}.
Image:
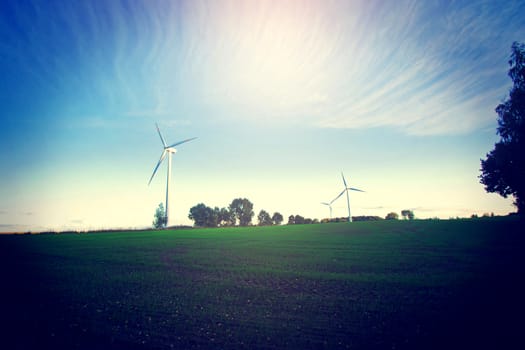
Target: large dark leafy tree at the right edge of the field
{"type": "Point", "coordinates": [503, 171]}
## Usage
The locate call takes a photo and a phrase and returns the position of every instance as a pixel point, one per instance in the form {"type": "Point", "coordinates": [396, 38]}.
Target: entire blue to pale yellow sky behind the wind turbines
{"type": "Point", "coordinates": [282, 95]}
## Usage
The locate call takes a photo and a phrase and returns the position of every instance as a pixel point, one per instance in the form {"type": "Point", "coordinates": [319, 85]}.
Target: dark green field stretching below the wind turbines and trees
{"type": "Point", "coordinates": [384, 285]}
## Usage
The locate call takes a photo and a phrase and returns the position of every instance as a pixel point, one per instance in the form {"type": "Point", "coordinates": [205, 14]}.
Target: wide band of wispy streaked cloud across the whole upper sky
{"type": "Point", "coordinates": [418, 67]}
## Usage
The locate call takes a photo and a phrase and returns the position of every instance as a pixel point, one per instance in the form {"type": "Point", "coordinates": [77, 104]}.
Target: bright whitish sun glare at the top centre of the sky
{"type": "Point", "coordinates": [271, 59]}
